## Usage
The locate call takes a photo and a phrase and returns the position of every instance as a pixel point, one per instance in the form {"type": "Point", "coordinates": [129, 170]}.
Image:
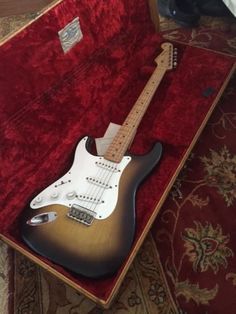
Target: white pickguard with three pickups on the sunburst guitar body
{"type": "Point", "coordinates": [92, 182]}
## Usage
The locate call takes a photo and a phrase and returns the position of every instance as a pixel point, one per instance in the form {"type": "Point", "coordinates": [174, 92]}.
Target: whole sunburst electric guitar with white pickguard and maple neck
{"type": "Point", "coordinates": [85, 221]}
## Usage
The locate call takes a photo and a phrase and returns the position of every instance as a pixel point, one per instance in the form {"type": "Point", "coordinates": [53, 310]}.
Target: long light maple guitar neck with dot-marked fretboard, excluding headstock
{"type": "Point", "coordinates": [125, 135]}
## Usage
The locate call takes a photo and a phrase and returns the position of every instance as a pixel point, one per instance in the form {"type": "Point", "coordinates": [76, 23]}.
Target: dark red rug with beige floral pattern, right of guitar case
{"type": "Point", "coordinates": [195, 231]}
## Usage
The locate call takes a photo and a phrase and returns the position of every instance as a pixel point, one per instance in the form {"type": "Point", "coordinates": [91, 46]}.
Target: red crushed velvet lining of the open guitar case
{"type": "Point", "coordinates": [49, 100]}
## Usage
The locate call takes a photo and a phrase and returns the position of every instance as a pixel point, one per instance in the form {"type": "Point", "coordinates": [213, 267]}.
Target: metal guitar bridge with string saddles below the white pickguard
{"type": "Point", "coordinates": [81, 214]}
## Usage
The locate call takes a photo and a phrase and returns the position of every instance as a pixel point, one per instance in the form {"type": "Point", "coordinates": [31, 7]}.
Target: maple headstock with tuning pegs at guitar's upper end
{"type": "Point", "coordinates": [167, 59]}
